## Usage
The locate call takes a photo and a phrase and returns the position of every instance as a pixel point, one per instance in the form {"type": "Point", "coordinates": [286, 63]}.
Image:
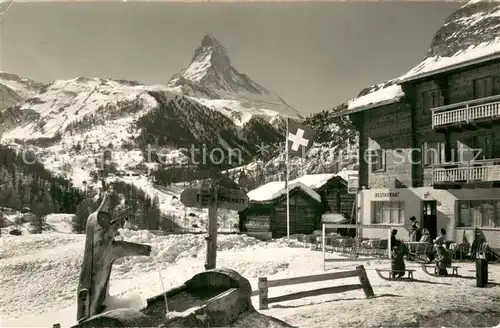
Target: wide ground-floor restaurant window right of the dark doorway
{"type": "Point", "coordinates": [478, 213]}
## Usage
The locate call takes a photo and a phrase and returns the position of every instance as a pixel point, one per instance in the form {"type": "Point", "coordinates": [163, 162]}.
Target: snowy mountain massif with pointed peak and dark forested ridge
{"type": "Point", "coordinates": [90, 128]}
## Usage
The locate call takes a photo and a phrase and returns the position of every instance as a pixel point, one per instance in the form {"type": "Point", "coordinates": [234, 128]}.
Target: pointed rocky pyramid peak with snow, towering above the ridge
{"type": "Point", "coordinates": [211, 78]}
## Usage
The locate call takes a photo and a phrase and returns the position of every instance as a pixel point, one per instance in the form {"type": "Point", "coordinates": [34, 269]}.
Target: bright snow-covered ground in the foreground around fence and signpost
{"type": "Point", "coordinates": [39, 277]}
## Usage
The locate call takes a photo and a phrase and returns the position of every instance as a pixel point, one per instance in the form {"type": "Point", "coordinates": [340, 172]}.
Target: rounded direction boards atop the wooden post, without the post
{"type": "Point", "coordinates": [231, 199]}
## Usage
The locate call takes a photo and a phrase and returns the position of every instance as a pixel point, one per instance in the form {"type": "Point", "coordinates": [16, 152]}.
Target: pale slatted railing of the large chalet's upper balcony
{"type": "Point", "coordinates": [467, 113]}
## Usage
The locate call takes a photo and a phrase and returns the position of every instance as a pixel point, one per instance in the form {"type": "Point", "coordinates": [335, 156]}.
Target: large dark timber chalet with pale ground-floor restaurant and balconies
{"type": "Point", "coordinates": [429, 147]}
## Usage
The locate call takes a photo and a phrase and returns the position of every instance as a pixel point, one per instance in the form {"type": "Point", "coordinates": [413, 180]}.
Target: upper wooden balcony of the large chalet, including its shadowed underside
{"type": "Point", "coordinates": [467, 115]}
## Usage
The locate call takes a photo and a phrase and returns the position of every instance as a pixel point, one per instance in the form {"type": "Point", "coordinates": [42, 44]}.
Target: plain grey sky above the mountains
{"type": "Point", "coordinates": [313, 55]}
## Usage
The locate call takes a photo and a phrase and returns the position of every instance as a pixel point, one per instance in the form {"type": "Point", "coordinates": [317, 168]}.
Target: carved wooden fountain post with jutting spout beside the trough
{"type": "Point", "coordinates": [101, 250]}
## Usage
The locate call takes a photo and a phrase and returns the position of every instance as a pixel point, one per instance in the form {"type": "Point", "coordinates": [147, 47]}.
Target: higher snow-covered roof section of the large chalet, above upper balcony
{"type": "Point", "coordinates": [472, 55]}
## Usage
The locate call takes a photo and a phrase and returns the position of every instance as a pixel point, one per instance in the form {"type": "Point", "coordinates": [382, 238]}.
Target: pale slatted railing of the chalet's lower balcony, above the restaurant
{"type": "Point", "coordinates": [487, 173]}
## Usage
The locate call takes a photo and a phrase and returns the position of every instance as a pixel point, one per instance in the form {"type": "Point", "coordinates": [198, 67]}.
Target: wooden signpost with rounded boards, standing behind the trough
{"type": "Point", "coordinates": [214, 198]}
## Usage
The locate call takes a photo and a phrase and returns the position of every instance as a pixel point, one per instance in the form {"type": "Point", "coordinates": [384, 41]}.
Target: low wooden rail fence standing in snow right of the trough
{"type": "Point", "coordinates": [359, 272]}
